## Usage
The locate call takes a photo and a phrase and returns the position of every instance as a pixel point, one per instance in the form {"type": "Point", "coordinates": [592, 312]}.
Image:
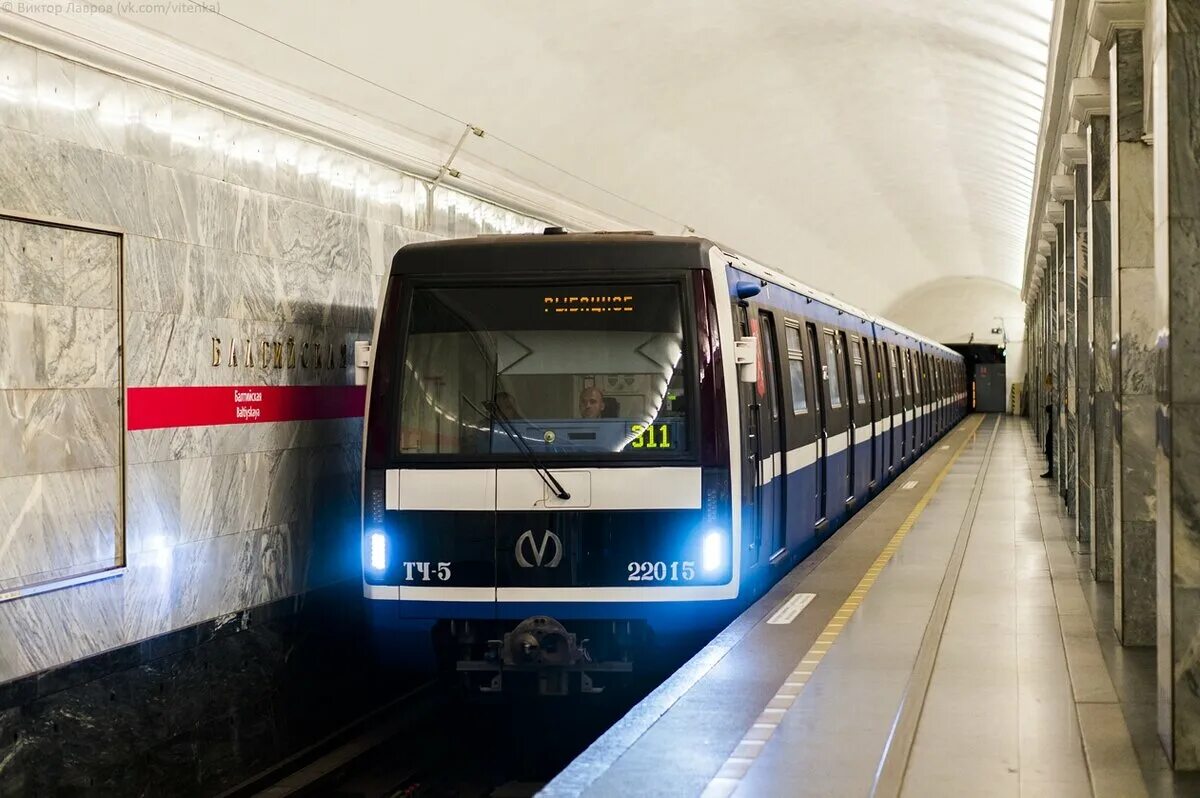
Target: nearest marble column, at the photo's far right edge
{"type": "Point", "coordinates": [1174, 45]}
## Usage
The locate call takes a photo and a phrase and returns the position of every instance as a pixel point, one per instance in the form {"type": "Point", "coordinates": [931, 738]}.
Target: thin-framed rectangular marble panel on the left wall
{"type": "Point", "coordinates": [61, 425]}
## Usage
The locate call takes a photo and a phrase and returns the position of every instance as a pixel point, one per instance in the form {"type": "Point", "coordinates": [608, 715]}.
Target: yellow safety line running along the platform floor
{"type": "Point", "coordinates": [755, 740]}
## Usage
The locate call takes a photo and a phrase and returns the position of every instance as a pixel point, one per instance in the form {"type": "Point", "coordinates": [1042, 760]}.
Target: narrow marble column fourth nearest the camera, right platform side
{"type": "Point", "coordinates": [1083, 440]}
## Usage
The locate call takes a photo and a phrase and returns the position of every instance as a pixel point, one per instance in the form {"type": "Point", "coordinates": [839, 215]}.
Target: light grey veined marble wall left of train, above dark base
{"type": "Point", "coordinates": [231, 230]}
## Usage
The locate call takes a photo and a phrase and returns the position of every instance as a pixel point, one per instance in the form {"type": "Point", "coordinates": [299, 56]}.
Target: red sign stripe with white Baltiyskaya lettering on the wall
{"type": "Point", "coordinates": [197, 406]}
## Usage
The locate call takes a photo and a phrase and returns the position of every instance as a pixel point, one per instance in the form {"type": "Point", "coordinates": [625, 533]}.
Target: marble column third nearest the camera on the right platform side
{"type": "Point", "coordinates": [1100, 289]}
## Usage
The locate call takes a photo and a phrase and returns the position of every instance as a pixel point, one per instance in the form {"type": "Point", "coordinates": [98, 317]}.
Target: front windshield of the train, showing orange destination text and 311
{"type": "Point", "coordinates": [569, 369]}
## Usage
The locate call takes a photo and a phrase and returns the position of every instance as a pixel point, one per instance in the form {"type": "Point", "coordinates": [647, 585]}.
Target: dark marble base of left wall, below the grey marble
{"type": "Point", "coordinates": [200, 710]}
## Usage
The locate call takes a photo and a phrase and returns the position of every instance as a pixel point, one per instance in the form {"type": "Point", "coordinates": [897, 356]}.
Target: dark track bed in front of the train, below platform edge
{"type": "Point", "coordinates": [434, 743]}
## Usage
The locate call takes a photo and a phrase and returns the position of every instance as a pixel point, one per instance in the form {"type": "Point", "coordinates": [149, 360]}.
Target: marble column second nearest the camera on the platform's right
{"type": "Point", "coordinates": [1133, 349]}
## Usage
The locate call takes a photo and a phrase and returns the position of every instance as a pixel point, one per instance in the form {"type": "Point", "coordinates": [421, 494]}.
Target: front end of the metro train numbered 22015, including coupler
{"type": "Point", "coordinates": [548, 455]}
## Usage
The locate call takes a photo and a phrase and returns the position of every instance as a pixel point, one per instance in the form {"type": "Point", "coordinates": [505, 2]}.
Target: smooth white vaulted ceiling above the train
{"type": "Point", "coordinates": [872, 148]}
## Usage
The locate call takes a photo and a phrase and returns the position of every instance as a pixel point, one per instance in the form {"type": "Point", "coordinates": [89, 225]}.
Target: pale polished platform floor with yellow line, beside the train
{"type": "Point", "coordinates": [944, 647]}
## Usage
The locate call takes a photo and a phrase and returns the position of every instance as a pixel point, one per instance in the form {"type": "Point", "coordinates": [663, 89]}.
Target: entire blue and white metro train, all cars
{"type": "Point", "coordinates": [583, 447]}
